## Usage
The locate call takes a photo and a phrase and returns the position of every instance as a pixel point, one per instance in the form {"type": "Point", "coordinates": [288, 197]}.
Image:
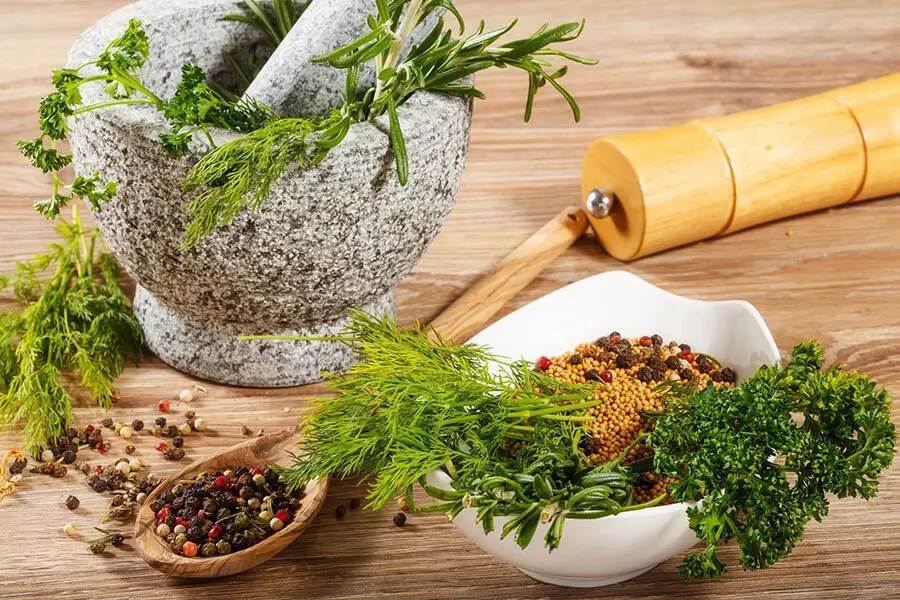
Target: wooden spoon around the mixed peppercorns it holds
{"type": "Point", "coordinates": [257, 452]}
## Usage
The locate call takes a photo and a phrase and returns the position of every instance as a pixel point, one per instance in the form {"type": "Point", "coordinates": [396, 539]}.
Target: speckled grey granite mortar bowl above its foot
{"type": "Point", "coordinates": [339, 235]}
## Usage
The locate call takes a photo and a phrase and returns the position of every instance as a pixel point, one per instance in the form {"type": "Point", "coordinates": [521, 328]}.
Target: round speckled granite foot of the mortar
{"type": "Point", "coordinates": [211, 350]}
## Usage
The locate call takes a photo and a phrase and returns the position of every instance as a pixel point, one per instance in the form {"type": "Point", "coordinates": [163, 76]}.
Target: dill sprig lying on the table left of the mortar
{"type": "Point", "coordinates": [76, 322]}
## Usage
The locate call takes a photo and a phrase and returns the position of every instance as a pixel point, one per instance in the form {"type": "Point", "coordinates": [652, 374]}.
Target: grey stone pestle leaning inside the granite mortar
{"type": "Point", "coordinates": [294, 85]}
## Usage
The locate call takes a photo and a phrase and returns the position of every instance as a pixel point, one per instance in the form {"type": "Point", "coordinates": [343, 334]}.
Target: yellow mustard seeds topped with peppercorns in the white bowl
{"type": "Point", "coordinates": [634, 373]}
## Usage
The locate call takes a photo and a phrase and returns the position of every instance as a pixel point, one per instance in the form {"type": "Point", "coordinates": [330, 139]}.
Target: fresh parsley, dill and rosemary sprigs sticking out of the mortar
{"type": "Point", "coordinates": [238, 175]}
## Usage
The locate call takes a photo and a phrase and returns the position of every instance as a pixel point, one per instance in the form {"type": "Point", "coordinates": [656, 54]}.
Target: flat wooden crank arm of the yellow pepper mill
{"type": "Point", "coordinates": [471, 311]}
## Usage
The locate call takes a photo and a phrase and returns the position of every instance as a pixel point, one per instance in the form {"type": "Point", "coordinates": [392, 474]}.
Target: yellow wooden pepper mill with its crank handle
{"type": "Point", "coordinates": [651, 191]}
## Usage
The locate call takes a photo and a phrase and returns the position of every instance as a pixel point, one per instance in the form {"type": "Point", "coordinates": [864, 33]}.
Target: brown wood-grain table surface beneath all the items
{"type": "Point", "coordinates": [835, 278]}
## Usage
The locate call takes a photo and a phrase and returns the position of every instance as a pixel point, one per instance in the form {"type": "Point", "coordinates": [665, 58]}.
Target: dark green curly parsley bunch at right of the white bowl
{"type": "Point", "coordinates": [762, 476]}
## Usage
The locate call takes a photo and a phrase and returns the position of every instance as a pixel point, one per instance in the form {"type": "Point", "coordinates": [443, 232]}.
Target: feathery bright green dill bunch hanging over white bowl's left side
{"type": "Point", "coordinates": [413, 404]}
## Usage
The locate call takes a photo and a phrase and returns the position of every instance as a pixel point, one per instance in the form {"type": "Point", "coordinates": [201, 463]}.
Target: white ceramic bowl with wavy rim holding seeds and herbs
{"type": "Point", "coordinates": [612, 549]}
